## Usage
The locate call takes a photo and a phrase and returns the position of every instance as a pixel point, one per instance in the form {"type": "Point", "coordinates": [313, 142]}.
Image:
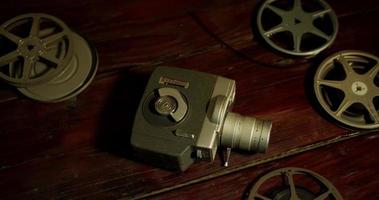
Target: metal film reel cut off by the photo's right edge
{"type": "Point", "coordinates": [346, 86]}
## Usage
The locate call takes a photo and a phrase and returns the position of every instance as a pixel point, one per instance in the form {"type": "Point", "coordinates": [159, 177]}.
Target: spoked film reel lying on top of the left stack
{"type": "Point", "coordinates": [32, 40]}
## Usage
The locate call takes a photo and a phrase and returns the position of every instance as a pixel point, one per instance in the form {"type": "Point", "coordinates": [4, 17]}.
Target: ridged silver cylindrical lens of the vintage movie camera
{"type": "Point", "coordinates": [245, 133]}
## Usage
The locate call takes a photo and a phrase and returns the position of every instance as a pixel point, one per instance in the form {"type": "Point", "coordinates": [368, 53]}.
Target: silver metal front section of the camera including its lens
{"type": "Point", "coordinates": [228, 129]}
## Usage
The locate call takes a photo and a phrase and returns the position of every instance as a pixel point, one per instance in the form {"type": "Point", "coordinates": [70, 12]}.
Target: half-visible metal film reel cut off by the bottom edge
{"type": "Point", "coordinates": [293, 184]}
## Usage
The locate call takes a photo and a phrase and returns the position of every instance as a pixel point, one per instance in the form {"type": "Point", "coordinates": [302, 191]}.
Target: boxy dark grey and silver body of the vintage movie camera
{"type": "Point", "coordinates": [181, 116]}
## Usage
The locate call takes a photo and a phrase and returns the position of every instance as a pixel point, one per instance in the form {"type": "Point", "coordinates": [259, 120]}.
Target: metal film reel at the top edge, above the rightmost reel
{"type": "Point", "coordinates": [298, 28]}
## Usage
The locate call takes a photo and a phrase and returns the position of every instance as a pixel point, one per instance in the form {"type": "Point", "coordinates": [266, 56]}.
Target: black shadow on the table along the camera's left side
{"type": "Point", "coordinates": [116, 121]}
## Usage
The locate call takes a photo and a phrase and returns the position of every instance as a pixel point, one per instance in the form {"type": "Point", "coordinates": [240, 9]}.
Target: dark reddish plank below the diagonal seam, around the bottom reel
{"type": "Point", "coordinates": [347, 165]}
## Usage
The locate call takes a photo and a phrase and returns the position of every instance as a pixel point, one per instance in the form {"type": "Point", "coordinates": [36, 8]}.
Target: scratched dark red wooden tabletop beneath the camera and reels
{"type": "Point", "coordinates": [79, 149]}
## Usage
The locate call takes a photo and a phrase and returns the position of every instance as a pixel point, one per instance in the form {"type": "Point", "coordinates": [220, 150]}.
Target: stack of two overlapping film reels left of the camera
{"type": "Point", "coordinates": [47, 61]}
